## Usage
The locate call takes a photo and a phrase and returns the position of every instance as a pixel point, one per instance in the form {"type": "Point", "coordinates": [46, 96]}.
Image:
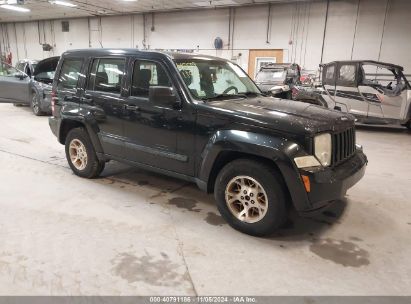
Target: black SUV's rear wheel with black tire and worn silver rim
{"type": "Point", "coordinates": [88, 165]}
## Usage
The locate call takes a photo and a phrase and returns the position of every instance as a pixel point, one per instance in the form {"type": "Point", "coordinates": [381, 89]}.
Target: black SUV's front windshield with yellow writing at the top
{"type": "Point", "coordinates": [208, 79]}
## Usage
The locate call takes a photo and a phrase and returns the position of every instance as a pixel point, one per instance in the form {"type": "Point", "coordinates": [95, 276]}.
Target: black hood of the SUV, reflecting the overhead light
{"type": "Point", "coordinates": [285, 115]}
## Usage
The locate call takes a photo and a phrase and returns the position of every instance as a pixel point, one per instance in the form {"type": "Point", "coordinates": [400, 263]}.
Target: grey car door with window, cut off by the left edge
{"type": "Point", "coordinates": [14, 85]}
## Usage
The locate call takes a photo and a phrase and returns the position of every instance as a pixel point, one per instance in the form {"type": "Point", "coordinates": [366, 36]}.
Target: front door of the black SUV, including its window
{"type": "Point", "coordinates": [152, 130]}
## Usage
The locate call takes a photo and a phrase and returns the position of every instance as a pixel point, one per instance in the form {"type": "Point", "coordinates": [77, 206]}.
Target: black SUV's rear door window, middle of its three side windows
{"type": "Point", "coordinates": [106, 75]}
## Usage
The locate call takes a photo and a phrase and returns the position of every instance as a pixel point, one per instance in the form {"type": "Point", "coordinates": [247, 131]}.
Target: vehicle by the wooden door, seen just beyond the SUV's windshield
{"type": "Point", "coordinates": [278, 79]}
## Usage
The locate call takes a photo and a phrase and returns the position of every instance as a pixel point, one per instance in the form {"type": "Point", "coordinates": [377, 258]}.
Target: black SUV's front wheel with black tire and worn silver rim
{"type": "Point", "coordinates": [252, 173]}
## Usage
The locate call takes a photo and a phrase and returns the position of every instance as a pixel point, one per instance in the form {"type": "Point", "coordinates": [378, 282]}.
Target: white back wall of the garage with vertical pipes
{"type": "Point", "coordinates": [296, 28]}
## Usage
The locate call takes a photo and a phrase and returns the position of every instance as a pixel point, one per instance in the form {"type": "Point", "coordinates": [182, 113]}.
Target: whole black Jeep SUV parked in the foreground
{"type": "Point", "coordinates": [202, 119]}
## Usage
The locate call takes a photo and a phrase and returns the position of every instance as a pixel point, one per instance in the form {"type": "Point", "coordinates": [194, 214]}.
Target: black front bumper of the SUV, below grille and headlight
{"type": "Point", "coordinates": [330, 184]}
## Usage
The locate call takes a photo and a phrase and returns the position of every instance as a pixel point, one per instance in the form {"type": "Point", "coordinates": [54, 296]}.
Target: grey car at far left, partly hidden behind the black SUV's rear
{"type": "Point", "coordinates": [18, 87]}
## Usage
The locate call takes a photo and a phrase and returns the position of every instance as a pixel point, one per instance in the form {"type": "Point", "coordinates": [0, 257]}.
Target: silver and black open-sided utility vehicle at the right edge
{"type": "Point", "coordinates": [374, 92]}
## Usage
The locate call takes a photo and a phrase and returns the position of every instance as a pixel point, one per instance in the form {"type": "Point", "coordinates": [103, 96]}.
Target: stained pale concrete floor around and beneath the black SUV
{"type": "Point", "coordinates": [136, 233]}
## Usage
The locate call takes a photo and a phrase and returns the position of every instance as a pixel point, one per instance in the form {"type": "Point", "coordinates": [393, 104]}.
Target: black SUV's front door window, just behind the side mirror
{"type": "Point", "coordinates": [147, 74]}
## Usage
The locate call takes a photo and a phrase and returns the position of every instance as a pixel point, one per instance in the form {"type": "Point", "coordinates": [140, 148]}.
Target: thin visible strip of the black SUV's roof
{"type": "Point", "coordinates": [130, 51]}
